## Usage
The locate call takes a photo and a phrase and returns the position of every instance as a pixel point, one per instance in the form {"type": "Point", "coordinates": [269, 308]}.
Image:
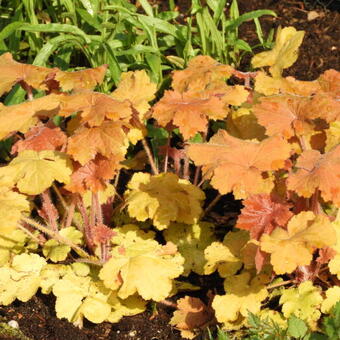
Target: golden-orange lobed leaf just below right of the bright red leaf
{"type": "Point", "coordinates": [294, 247]}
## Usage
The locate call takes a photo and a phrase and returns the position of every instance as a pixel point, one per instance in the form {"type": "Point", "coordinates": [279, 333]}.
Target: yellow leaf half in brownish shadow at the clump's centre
{"type": "Point", "coordinates": [163, 198]}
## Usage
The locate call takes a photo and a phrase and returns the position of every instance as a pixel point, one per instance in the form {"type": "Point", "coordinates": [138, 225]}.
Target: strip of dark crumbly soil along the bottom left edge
{"type": "Point", "coordinates": [37, 320]}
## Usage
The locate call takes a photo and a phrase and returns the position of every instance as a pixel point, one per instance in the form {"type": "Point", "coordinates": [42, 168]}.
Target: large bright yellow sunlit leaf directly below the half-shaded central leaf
{"type": "Point", "coordinates": [141, 267]}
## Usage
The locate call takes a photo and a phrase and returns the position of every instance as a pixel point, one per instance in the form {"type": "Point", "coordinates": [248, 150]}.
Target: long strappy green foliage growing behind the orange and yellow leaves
{"type": "Point", "coordinates": [71, 33]}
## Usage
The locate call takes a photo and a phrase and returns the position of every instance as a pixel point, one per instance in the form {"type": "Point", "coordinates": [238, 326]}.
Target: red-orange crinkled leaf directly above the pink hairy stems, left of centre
{"type": "Point", "coordinates": [93, 175]}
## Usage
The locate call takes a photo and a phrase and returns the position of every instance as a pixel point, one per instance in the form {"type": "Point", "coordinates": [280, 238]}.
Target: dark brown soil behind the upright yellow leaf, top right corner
{"type": "Point", "coordinates": [320, 49]}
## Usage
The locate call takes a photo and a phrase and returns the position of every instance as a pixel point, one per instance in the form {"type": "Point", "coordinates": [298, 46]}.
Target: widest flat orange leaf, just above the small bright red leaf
{"type": "Point", "coordinates": [238, 165]}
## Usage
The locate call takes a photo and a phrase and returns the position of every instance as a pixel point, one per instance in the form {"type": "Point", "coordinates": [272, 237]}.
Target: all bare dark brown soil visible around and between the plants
{"type": "Point", "coordinates": [319, 52]}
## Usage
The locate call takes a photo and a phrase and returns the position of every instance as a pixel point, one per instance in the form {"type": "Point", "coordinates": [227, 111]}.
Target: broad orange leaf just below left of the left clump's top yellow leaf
{"type": "Point", "coordinates": [95, 107]}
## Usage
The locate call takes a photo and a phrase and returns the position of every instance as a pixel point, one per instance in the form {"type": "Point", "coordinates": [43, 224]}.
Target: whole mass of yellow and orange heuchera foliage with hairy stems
{"type": "Point", "coordinates": [67, 229]}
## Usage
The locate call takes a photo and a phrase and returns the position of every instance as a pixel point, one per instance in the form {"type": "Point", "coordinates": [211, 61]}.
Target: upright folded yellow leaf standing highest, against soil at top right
{"type": "Point", "coordinates": [284, 53]}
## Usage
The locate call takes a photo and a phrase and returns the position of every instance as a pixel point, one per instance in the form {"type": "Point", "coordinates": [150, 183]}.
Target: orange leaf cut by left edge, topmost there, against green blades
{"type": "Point", "coordinates": [13, 72]}
